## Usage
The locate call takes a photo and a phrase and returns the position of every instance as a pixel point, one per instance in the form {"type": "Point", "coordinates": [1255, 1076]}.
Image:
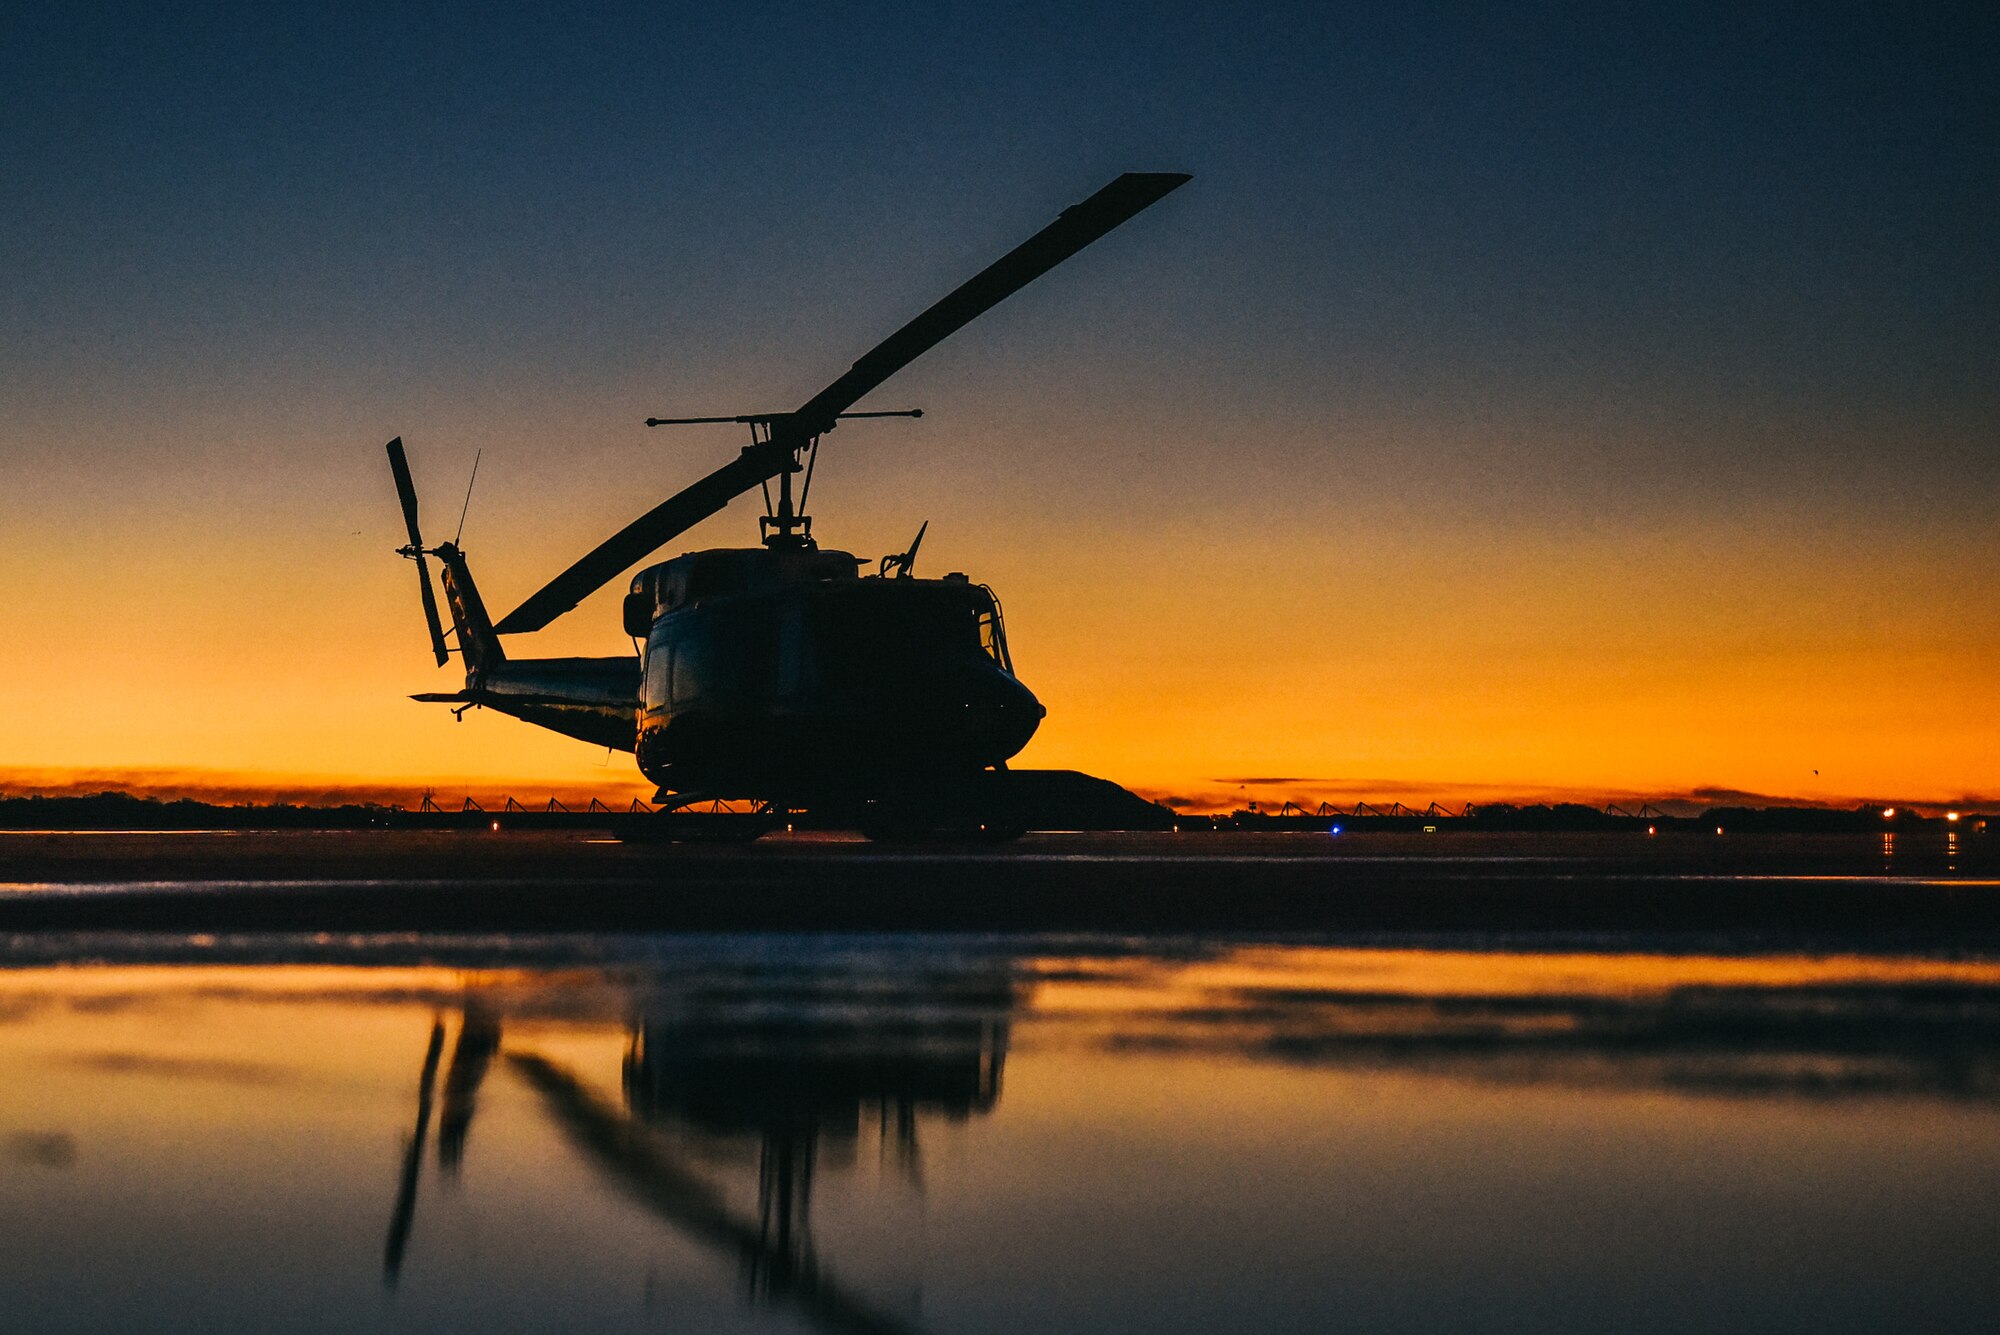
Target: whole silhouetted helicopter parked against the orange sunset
{"type": "Point", "coordinates": [787, 676]}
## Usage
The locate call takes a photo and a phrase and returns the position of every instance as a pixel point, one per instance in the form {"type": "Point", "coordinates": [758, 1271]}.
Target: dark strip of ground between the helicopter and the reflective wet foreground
{"type": "Point", "coordinates": [1929, 890]}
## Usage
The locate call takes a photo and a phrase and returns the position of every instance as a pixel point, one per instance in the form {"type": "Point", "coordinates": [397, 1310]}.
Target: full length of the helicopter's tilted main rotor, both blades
{"type": "Point", "coordinates": [1075, 229]}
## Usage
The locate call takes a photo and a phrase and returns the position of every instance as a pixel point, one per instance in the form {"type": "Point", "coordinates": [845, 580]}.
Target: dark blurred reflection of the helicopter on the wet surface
{"type": "Point", "coordinates": [799, 1066]}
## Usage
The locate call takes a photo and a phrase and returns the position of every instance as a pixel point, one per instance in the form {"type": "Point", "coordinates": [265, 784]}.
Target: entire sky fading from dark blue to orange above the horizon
{"type": "Point", "coordinates": [1523, 401]}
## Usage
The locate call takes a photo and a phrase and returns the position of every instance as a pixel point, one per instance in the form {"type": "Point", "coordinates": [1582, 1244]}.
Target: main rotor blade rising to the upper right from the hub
{"type": "Point", "coordinates": [1075, 229]}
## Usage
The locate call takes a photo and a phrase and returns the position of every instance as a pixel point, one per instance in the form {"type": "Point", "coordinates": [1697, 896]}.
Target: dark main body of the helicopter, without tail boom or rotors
{"type": "Point", "coordinates": [783, 674]}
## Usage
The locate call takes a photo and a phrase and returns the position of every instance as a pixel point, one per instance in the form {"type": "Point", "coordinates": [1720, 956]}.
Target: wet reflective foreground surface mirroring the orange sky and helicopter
{"type": "Point", "coordinates": [967, 1134]}
